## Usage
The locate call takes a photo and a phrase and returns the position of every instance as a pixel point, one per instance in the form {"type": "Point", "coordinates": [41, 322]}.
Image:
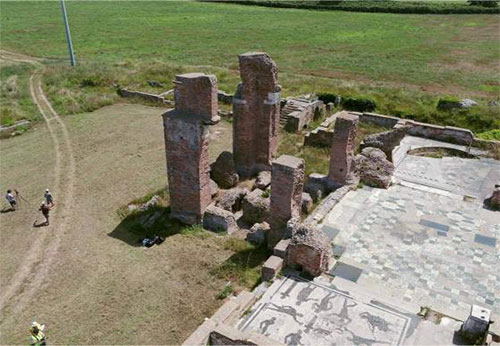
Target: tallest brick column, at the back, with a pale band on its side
{"type": "Point", "coordinates": [256, 108]}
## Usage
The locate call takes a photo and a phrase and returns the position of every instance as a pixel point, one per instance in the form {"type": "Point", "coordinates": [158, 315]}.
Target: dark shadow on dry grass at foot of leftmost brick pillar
{"type": "Point", "coordinates": [138, 225]}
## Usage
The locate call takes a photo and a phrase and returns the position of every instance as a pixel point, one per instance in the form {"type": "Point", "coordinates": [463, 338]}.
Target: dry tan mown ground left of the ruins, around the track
{"type": "Point", "coordinates": [100, 289]}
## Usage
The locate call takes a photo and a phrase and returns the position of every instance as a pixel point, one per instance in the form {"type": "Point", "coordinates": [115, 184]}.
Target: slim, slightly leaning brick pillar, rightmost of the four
{"type": "Point", "coordinates": [342, 153]}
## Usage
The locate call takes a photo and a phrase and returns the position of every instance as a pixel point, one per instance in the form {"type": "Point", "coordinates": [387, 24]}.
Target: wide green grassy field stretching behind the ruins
{"type": "Point", "coordinates": [404, 62]}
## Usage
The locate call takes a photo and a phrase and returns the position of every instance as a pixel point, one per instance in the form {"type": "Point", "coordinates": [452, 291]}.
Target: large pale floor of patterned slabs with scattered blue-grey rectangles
{"type": "Point", "coordinates": [435, 250]}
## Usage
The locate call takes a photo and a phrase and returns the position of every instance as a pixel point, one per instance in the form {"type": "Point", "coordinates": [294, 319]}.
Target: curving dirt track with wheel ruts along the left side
{"type": "Point", "coordinates": [31, 275]}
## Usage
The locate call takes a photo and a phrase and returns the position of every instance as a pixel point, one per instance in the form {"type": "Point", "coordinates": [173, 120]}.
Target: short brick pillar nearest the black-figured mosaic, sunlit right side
{"type": "Point", "coordinates": [287, 183]}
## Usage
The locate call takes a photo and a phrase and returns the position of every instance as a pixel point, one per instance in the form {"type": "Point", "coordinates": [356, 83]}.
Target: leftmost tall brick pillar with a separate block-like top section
{"type": "Point", "coordinates": [186, 145]}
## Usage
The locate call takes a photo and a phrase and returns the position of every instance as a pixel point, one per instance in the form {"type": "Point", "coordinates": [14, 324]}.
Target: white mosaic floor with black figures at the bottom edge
{"type": "Point", "coordinates": [298, 312]}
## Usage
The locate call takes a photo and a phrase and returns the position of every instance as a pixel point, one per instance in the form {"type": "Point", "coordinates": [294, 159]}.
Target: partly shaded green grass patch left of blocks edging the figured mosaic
{"type": "Point", "coordinates": [244, 266]}
